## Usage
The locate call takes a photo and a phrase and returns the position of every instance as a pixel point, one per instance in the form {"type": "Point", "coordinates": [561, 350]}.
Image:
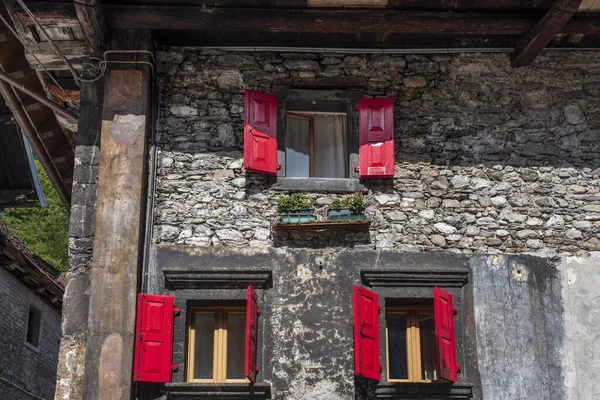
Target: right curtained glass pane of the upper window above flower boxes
{"type": "Point", "coordinates": [331, 146]}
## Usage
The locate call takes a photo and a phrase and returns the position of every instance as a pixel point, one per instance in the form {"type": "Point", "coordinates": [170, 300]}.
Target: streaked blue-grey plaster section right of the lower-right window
{"type": "Point", "coordinates": [519, 318]}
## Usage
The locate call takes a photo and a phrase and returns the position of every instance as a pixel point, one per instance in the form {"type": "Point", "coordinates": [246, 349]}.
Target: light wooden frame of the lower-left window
{"type": "Point", "coordinates": [220, 343]}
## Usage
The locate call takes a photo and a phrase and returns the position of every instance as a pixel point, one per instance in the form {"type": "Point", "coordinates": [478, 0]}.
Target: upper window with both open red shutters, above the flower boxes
{"type": "Point", "coordinates": [317, 141]}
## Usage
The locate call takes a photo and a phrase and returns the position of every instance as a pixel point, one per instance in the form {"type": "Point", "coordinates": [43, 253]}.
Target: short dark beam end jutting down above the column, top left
{"type": "Point", "coordinates": [91, 20]}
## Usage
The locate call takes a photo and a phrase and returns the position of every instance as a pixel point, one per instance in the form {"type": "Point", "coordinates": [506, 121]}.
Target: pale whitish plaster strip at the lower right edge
{"type": "Point", "coordinates": [581, 293]}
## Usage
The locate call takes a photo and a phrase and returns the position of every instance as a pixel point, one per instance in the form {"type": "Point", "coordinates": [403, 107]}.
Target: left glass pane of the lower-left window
{"type": "Point", "coordinates": [204, 345]}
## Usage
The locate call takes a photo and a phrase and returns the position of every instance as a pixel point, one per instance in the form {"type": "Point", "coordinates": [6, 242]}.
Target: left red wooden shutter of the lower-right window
{"type": "Point", "coordinates": [366, 334]}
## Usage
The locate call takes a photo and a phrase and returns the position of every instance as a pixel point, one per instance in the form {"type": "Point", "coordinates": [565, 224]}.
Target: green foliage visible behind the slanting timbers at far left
{"type": "Point", "coordinates": [44, 230]}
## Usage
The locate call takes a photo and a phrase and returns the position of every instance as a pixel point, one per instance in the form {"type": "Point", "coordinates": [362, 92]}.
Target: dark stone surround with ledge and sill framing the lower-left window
{"type": "Point", "coordinates": [192, 287]}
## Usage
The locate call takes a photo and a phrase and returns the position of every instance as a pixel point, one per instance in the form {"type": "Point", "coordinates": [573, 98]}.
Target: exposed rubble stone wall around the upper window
{"type": "Point", "coordinates": [488, 158]}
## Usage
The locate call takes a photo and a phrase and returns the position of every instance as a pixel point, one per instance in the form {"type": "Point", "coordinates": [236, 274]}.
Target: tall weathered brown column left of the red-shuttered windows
{"type": "Point", "coordinates": [119, 220]}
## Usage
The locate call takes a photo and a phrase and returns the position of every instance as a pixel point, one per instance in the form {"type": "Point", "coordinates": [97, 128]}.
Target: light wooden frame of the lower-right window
{"type": "Point", "coordinates": [413, 342]}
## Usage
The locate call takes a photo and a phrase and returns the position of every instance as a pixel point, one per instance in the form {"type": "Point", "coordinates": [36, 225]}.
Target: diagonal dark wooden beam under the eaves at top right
{"type": "Point", "coordinates": [543, 32]}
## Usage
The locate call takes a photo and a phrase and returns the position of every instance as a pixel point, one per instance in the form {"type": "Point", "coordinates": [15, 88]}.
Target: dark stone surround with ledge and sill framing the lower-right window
{"type": "Point", "coordinates": [418, 283]}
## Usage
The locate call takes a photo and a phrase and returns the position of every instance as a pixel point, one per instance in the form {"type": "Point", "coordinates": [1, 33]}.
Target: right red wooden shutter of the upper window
{"type": "Point", "coordinates": [376, 137]}
